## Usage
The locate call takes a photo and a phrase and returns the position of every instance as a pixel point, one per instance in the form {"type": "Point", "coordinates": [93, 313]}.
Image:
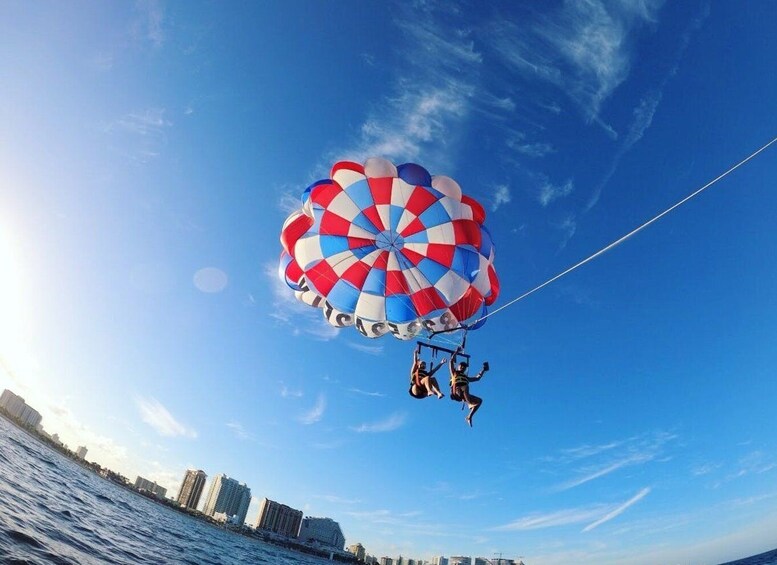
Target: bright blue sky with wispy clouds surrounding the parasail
{"type": "Point", "coordinates": [150, 152]}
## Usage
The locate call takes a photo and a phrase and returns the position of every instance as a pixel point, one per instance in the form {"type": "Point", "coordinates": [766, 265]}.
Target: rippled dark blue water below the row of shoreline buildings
{"type": "Point", "coordinates": [54, 511]}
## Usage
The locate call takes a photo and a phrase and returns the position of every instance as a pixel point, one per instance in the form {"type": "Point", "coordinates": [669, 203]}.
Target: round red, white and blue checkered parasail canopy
{"type": "Point", "coordinates": [390, 249]}
